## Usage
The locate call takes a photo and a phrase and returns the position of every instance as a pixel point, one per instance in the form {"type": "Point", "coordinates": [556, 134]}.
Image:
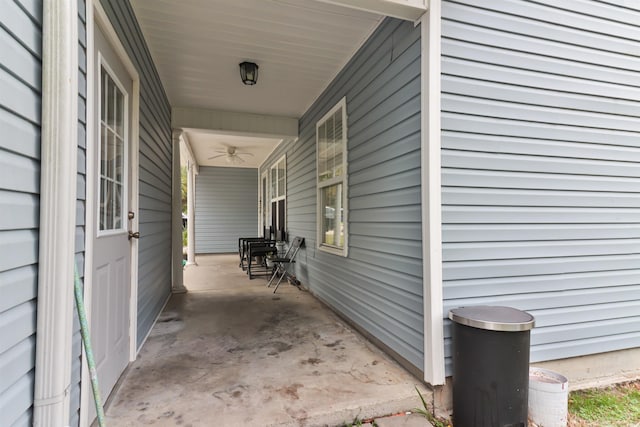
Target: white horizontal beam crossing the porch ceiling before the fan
{"type": "Point", "coordinates": [235, 123]}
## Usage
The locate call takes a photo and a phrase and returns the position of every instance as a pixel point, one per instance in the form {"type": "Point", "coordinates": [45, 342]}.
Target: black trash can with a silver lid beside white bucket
{"type": "Point", "coordinates": [490, 366]}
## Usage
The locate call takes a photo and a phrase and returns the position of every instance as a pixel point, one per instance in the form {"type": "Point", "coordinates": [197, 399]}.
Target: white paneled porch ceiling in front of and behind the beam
{"type": "Point", "coordinates": [299, 45]}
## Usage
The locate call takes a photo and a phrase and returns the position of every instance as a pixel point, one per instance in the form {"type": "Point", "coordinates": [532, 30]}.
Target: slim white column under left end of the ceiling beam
{"type": "Point", "coordinates": [177, 285]}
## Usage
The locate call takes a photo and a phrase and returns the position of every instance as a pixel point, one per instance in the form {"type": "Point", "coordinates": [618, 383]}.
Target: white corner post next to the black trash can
{"type": "Point", "coordinates": [434, 372]}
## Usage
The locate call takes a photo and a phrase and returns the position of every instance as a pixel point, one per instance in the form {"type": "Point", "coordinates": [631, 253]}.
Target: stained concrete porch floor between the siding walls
{"type": "Point", "coordinates": [231, 353]}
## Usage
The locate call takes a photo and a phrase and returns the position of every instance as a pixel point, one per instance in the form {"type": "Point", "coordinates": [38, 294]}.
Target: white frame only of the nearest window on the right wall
{"type": "Point", "coordinates": [344, 179]}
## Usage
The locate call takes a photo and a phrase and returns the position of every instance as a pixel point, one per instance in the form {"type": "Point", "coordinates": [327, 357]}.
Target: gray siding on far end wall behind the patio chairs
{"type": "Point", "coordinates": [226, 208]}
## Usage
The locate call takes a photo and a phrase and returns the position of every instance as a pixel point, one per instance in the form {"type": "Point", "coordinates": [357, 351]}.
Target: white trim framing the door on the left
{"type": "Point", "coordinates": [96, 15]}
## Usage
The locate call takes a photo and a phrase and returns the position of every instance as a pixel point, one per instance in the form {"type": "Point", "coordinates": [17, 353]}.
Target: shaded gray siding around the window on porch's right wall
{"type": "Point", "coordinates": [379, 285]}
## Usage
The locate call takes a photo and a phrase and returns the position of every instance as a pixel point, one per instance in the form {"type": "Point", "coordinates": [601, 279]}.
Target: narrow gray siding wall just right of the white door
{"type": "Point", "coordinates": [154, 266]}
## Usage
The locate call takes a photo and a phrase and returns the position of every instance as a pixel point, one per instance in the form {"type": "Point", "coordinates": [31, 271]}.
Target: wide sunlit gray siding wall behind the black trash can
{"type": "Point", "coordinates": [540, 168]}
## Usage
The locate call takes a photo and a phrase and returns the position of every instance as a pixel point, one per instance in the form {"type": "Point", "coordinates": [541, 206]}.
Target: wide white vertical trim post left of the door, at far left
{"type": "Point", "coordinates": [57, 213]}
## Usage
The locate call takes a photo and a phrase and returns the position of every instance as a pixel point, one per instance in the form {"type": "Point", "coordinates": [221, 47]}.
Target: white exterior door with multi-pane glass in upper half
{"type": "Point", "coordinates": [110, 292]}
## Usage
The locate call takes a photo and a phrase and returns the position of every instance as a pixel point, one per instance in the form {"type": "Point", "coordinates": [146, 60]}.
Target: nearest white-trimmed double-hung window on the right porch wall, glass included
{"type": "Point", "coordinates": [331, 167]}
